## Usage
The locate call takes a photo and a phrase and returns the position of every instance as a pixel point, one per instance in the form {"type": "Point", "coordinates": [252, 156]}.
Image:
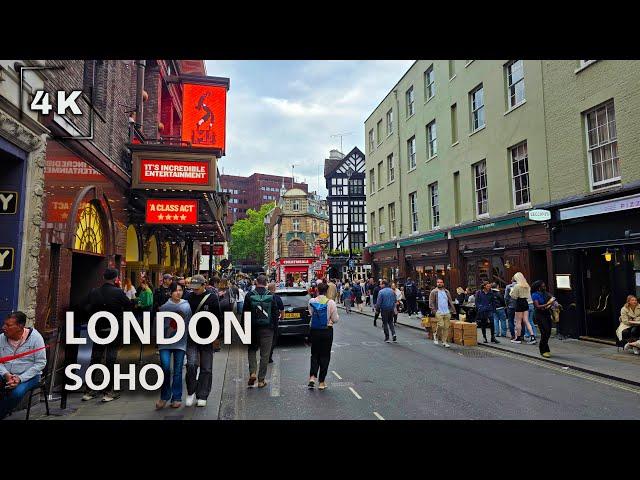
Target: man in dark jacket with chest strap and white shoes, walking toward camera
{"type": "Point", "coordinates": [200, 356]}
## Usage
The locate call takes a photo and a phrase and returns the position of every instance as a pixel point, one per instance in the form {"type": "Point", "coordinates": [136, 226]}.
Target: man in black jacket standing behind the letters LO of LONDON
{"type": "Point", "coordinates": [112, 299]}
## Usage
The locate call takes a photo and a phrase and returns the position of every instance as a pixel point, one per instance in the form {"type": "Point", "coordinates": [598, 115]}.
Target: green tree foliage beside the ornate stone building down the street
{"type": "Point", "coordinates": [247, 235]}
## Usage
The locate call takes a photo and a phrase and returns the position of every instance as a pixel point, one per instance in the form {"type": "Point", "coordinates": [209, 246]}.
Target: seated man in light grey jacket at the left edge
{"type": "Point", "coordinates": [19, 375]}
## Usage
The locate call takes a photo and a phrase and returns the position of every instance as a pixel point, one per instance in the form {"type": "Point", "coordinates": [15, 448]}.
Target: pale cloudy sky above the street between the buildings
{"type": "Point", "coordinates": [281, 113]}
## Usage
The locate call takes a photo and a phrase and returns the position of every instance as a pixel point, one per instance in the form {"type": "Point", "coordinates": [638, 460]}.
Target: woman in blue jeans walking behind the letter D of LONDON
{"type": "Point", "coordinates": [172, 385]}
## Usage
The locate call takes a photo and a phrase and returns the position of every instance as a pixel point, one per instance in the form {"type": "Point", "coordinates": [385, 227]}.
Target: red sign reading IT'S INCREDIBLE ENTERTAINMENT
{"type": "Point", "coordinates": [174, 172]}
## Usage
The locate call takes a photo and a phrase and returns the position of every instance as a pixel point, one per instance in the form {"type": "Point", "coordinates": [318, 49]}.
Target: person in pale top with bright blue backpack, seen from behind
{"type": "Point", "coordinates": [324, 314]}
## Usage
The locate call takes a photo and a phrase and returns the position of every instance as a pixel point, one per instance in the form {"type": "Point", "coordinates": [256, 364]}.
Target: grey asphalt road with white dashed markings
{"type": "Point", "coordinates": [415, 379]}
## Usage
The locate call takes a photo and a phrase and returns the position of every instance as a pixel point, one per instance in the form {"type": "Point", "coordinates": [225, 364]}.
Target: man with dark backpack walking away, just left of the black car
{"type": "Point", "coordinates": [262, 305]}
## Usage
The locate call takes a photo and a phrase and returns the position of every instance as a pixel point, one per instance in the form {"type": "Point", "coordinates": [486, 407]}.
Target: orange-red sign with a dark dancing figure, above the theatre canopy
{"type": "Point", "coordinates": [204, 115]}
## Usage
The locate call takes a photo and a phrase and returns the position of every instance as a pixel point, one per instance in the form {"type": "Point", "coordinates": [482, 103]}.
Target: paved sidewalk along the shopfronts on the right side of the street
{"type": "Point", "coordinates": [590, 357]}
